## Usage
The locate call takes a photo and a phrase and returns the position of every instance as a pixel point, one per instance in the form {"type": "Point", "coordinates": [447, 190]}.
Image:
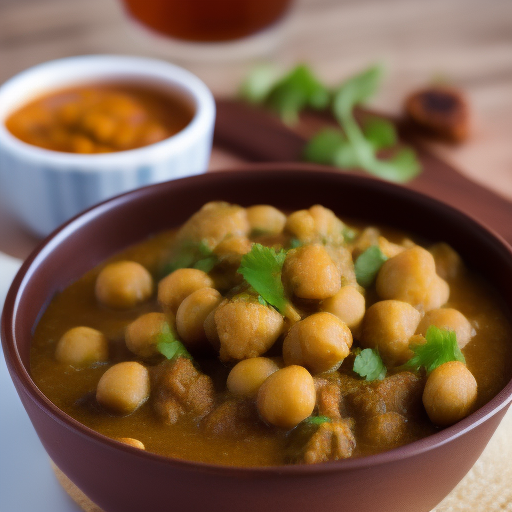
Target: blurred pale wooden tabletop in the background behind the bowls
{"type": "Point", "coordinates": [465, 42]}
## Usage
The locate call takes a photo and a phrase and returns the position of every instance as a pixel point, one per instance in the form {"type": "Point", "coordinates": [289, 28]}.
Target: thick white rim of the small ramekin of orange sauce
{"type": "Point", "coordinates": [62, 73]}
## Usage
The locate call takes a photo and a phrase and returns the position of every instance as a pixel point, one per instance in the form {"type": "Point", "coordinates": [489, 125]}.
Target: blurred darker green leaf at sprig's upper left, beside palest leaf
{"type": "Point", "coordinates": [297, 90]}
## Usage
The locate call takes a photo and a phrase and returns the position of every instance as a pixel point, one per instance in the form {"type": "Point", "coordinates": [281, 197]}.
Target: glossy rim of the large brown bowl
{"type": "Point", "coordinates": [18, 372]}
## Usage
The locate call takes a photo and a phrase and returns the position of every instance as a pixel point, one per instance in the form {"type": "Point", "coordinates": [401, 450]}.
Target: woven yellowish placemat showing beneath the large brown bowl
{"type": "Point", "coordinates": [486, 488]}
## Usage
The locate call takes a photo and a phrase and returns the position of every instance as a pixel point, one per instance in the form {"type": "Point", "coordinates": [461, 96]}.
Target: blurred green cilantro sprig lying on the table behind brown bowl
{"type": "Point", "coordinates": [350, 146]}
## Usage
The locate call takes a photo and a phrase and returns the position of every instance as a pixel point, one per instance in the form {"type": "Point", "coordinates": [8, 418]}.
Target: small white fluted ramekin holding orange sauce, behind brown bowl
{"type": "Point", "coordinates": [45, 188]}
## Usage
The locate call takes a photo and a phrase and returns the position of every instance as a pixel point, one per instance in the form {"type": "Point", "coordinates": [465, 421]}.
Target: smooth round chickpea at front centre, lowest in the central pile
{"type": "Point", "coordinates": [287, 397]}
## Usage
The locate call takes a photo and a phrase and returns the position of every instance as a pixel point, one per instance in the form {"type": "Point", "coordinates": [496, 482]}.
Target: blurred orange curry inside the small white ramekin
{"type": "Point", "coordinates": [100, 118]}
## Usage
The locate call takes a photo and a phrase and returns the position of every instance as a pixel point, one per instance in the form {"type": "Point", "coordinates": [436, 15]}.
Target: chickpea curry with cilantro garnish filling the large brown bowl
{"type": "Point", "coordinates": [250, 337]}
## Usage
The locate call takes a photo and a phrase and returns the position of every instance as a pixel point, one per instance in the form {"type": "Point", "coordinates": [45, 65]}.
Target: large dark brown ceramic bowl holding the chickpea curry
{"type": "Point", "coordinates": [123, 479]}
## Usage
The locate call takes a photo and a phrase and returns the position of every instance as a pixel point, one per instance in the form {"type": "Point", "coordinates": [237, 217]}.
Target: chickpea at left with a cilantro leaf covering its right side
{"type": "Point", "coordinates": [141, 336]}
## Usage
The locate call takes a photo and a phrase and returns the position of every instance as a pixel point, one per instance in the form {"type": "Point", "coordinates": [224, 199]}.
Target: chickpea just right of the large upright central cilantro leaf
{"type": "Point", "coordinates": [310, 273]}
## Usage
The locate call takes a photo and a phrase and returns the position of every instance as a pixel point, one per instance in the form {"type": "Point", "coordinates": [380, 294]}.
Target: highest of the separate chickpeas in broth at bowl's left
{"type": "Point", "coordinates": [123, 285]}
